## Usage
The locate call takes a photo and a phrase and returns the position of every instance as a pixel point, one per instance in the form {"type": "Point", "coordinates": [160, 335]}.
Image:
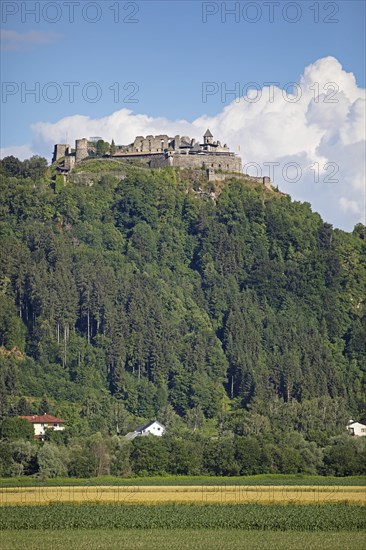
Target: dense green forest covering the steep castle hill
{"type": "Point", "coordinates": [126, 295]}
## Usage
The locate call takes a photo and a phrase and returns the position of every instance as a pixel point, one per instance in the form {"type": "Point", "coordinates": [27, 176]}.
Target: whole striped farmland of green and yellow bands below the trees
{"type": "Point", "coordinates": [258, 512]}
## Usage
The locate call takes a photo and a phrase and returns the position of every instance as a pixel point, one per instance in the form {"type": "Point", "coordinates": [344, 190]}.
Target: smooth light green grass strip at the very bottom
{"type": "Point", "coordinates": [178, 539]}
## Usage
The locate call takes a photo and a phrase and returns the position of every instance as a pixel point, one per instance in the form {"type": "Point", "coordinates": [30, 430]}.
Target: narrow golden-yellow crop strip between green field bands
{"type": "Point", "coordinates": [219, 494]}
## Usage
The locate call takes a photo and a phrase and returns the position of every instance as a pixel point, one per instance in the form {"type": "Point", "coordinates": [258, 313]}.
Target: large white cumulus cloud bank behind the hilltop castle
{"type": "Point", "coordinates": [314, 137]}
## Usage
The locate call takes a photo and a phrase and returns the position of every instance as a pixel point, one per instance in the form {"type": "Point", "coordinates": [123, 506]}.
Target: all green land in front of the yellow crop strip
{"type": "Point", "coordinates": [182, 526]}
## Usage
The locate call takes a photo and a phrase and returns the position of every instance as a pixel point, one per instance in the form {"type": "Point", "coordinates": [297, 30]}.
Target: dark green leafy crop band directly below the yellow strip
{"type": "Point", "coordinates": [274, 517]}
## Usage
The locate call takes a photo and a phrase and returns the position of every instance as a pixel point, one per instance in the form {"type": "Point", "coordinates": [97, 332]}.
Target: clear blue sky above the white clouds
{"type": "Point", "coordinates": [162, 52]}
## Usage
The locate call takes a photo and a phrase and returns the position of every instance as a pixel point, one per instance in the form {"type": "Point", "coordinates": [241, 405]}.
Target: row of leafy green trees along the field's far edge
{"type": "Point", "coordinates": [61, 455]}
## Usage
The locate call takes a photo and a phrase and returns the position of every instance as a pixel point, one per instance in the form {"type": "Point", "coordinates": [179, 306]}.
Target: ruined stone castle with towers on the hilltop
{"type": "Point", "coordinates": [158, 152]}
